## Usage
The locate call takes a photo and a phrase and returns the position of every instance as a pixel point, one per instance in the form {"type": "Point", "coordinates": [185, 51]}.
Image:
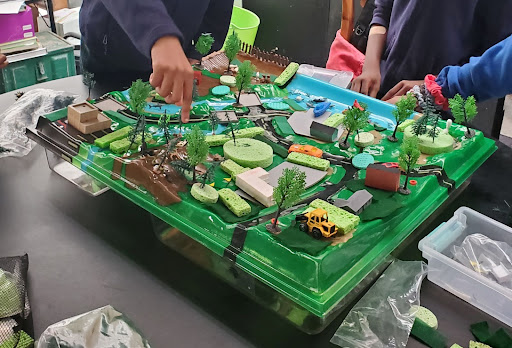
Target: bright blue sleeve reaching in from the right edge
{"type": "Point", "coordinates": [485, 77]}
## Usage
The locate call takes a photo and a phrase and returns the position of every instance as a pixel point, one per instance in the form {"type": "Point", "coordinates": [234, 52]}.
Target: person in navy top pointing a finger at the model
{"type": "Point", "coordinates": [150, 39]}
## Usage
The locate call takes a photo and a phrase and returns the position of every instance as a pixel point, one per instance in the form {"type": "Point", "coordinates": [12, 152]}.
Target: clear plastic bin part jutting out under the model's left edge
{"type": "Point", "coordinates": [74, 175]}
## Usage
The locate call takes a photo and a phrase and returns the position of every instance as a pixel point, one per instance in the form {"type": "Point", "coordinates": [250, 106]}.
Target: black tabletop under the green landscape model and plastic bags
{"type": "Point", "coordinates": [81, 259]}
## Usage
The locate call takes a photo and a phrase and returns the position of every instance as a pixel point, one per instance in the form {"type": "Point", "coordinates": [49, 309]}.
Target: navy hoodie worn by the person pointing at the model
{"type": "Point", "coordinates": [117, 35]}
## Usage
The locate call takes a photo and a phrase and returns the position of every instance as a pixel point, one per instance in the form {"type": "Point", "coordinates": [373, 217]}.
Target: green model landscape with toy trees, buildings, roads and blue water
{"type": "Point", "coordinates": [317, 183]}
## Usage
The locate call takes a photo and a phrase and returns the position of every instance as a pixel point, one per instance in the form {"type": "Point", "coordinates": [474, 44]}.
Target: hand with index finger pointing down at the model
{"type": "Point", "coordinates": [172, 75]}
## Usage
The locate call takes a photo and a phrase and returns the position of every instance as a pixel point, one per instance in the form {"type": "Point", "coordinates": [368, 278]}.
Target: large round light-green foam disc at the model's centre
{"type": "Point", "coordinates": [248, 152]}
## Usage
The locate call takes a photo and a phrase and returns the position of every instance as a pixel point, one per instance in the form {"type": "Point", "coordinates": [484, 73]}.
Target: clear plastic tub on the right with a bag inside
{"type": "Point", "coordinates": [443, 270]}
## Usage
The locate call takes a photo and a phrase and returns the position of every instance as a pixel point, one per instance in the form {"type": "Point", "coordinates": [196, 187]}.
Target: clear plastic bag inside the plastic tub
{"type": "Point", "coordinates": [490, 258]}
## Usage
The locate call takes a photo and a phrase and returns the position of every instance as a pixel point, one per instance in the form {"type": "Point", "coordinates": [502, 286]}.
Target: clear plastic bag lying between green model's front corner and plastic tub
{"type": "Point", "coordinates": [383, 318]}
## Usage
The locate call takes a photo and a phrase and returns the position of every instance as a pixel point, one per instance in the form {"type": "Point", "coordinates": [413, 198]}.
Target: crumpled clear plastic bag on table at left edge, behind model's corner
{"type": "Point", "coordinates": [23, 114]}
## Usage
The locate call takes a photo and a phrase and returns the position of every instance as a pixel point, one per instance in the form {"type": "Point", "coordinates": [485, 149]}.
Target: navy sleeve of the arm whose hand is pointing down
{"type": "Point", "coordinates": [144, 21]}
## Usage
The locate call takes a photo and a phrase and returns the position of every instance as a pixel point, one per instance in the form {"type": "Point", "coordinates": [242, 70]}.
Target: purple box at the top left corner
{"type": "Point", "coordinates": [16, 26]}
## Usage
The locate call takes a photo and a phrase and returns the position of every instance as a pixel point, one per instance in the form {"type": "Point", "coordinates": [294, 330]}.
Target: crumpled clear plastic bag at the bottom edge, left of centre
{"type": "Point", "coordinates": [100, 328]}
